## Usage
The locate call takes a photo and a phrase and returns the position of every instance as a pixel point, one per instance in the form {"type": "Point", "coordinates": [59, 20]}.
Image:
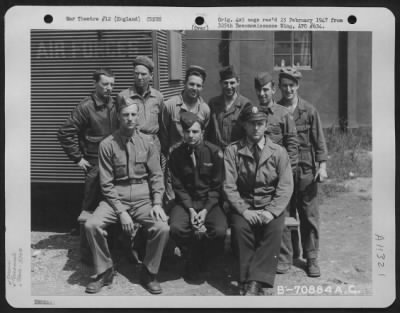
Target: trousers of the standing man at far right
{"type": "Point", "coordinates": [305, 201]}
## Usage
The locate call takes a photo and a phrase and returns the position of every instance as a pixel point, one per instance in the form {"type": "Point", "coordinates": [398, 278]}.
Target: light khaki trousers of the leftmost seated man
{"type": "Point", "coordinates": [136, 198]}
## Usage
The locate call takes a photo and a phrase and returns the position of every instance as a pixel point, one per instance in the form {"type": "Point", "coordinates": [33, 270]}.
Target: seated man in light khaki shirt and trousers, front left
{"type": "Point", "coordinates": [132, 184]}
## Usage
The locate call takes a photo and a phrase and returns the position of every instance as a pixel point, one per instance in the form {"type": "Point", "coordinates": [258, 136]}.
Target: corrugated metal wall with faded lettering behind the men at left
{"type": "Point", "coordinates": [62, 63]}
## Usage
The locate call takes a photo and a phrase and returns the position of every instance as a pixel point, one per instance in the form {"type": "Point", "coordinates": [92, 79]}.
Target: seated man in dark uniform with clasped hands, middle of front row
{"type": "Point", "coordinates": [197, 220]}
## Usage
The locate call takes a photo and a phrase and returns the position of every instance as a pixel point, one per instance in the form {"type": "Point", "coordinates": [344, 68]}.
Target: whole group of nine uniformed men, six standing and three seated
{"type": "Point", "coordinates": [226, 164]}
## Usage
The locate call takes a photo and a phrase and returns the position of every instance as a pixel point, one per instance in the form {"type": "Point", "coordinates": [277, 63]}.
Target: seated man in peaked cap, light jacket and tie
{"type": "Point", "coordinates": [258, 186]}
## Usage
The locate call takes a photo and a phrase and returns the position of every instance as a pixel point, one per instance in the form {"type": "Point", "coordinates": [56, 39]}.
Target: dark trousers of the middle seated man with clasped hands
{"type": "Point", "coordinates": [183, 234]}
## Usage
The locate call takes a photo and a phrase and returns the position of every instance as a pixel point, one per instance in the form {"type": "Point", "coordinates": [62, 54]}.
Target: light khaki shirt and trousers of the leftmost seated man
{"type": "Point", "coordinates": [131, 180]}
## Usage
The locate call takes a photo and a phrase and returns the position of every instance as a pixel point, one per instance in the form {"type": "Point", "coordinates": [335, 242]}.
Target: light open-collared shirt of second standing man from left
{"type": "Point", "coordinates": [149, 109]}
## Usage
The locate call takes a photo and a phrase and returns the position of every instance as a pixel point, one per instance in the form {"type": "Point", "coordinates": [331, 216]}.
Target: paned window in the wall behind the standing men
{"type": "Point", "coordinates": [292, 49]}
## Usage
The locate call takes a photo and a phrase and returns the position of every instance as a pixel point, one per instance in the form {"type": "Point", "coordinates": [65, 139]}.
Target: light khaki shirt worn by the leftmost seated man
{"type": "Point", "coordinates": [122, 158]}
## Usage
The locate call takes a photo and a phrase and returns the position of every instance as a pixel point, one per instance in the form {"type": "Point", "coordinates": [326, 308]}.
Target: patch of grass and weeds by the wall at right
{"type": "Point", "coordinates": [349, 153]}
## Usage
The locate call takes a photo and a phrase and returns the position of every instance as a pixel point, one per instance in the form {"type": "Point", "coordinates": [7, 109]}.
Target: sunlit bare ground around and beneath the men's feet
{"type": "Point", "coordinates": [345, 257]}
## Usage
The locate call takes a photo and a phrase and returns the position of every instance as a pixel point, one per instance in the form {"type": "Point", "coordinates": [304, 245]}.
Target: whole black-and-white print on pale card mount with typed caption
{"type": "Point", "coordinates": [233, 156]}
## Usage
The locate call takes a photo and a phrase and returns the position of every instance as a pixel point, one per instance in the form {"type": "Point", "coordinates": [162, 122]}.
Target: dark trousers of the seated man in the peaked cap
{"type": "Point", "coordinates": [257, 247]}
